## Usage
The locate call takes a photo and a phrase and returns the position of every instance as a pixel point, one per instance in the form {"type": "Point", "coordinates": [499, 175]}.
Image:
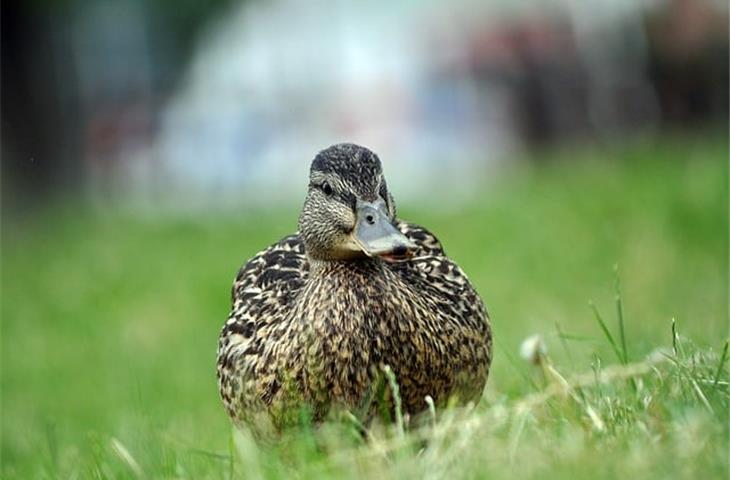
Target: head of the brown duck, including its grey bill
{"type": "Point", "coordinates": [349, 212]}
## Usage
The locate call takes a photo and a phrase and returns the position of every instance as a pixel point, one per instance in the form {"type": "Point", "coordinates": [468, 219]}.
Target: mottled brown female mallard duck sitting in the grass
{"type": "Point", "coordinates": [319, 314]}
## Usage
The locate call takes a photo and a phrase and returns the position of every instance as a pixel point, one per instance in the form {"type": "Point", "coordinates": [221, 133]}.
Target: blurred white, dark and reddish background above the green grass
{"type": "Point", "coordinates": [445, 93]}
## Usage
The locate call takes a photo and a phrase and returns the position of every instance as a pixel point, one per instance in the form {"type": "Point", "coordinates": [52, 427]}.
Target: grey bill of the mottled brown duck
{"type": "Point", "coordinates": [376, 235]}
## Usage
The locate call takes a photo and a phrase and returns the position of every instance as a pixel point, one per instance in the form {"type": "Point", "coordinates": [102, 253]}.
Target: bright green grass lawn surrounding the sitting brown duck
{"type": "Point", "coordinates": [110, 323]}
